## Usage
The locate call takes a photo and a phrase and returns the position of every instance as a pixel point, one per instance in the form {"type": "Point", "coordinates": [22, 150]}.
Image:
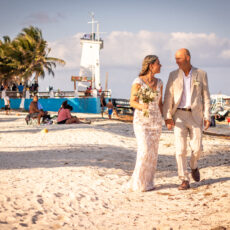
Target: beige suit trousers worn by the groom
{"type": "Point", "coordinates": [186, 126]}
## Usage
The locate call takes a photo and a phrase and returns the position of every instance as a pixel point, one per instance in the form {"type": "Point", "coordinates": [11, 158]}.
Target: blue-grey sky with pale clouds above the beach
{"type": "Point", "coordinates": [133, 29]}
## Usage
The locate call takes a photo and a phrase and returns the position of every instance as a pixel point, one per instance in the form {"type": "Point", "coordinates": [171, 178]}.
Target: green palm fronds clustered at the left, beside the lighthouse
{"type": "Point", "coordinates": [26, 55]}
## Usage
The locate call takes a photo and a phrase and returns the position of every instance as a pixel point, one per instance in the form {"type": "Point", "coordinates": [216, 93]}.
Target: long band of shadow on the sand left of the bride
{"type": "Point", "coordinates": [104, 156]}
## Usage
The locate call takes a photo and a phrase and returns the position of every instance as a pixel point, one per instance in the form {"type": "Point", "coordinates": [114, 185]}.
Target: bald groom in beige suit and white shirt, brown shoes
{"type": "Point", "coordinates": [186, 106]}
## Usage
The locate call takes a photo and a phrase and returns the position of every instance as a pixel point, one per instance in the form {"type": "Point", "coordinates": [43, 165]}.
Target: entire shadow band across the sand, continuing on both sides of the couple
{"type": "Point", "coordinates": [105, 156]}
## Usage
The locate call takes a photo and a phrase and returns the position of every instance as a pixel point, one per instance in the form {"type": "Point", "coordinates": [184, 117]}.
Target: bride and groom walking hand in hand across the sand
{"type": "Point", "coordinates": [186, 110]}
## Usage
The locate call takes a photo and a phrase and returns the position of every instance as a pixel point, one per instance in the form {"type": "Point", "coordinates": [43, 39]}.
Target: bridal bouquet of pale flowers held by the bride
{"type": "Point", "coordinates": [146, 95]}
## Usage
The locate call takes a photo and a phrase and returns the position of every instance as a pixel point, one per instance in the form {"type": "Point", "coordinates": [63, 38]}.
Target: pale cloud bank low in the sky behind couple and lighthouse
{"type": "Point", "coordinates": [126, 49]}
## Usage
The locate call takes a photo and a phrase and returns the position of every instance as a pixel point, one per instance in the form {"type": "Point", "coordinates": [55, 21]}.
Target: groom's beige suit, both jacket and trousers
{"type": "Point", "coordinates": [186, 122]}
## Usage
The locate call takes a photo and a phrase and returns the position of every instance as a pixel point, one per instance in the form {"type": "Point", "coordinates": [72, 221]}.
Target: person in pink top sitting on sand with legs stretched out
{"type": "Point", "coordinates": [65, 117]}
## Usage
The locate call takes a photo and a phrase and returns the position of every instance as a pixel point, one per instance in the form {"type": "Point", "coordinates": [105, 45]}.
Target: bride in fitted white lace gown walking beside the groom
{"type": "Point", "coordinates": [147, 128]}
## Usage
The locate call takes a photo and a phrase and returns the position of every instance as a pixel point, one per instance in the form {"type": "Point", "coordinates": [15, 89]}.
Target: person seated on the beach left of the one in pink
{"type": "Point", "coordinates": [34, 111]}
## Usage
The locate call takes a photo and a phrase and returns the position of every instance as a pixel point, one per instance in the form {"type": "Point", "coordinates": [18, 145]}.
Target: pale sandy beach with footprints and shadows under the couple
{"type": "Point", "coordinates": [73, 177]}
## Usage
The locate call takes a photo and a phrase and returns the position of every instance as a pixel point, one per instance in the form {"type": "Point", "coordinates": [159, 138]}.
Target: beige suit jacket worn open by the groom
{"type": "Point", "coordinates": [200, 96]}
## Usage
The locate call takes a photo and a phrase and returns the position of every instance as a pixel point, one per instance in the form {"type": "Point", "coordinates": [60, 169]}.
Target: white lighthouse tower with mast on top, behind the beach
{"type": "Point", "coordinates": [90, 61]}
